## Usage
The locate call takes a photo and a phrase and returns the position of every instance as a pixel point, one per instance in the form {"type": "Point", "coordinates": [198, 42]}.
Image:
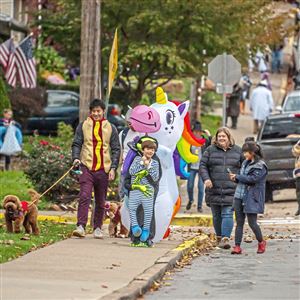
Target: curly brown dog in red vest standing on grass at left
{"type": "Point", "coordinates": [19, 213]}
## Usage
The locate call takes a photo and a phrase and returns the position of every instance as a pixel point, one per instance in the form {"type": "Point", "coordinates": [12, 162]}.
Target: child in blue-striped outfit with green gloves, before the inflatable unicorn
{"type": "Point", "coordinates": [144, 174]}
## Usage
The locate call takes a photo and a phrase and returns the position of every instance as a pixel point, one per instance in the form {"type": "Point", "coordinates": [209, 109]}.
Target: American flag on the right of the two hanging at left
{"type": "Point", "coordinates": [25, 64]}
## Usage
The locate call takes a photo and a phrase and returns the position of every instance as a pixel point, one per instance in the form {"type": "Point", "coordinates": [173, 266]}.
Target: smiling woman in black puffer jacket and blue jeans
{"type": "Point", "coordinates": [222, 155]}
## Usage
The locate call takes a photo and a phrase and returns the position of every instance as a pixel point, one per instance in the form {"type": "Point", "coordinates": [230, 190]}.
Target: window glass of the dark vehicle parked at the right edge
{"type": "Point", "coordinates": [281, 128]}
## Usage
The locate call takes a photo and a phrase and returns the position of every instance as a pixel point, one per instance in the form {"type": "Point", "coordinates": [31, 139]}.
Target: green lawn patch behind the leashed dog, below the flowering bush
{"type": "Point", "coordinates": [16, 183]}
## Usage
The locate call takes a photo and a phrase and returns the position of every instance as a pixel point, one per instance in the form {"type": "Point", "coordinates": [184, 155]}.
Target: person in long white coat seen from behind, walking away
{"type": "Point", "coordinates": [261, 104]}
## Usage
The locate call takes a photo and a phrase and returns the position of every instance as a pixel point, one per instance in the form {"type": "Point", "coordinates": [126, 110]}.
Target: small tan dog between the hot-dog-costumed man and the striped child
{"type": "Point", "coordinates": [113, 213]}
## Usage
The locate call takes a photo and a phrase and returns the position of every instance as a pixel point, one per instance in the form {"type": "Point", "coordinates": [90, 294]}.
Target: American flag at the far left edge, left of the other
{"type": "Point", "coordinates": [7, 59]}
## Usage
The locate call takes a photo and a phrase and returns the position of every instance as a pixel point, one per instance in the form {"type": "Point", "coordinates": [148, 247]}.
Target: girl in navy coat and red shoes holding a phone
{"type": "Point", "coordinates": [249, 197]}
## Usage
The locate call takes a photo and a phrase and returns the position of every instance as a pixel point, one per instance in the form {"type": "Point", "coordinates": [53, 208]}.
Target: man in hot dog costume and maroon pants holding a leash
{"type": "Point", "coordinates": [96, 148]}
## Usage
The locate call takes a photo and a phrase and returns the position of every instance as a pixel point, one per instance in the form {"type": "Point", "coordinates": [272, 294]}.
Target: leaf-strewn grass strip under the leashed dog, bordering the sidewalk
{"type": "Point", "coordinates": [12, 246]}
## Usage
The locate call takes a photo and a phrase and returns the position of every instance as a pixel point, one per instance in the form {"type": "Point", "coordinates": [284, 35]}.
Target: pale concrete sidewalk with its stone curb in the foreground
{"type": "Point", "coordinates": [91, 269]}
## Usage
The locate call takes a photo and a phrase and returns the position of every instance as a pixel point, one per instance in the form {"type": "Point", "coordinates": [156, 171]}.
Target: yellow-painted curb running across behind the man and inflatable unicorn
{"type": "Point", "coordinates": [179, 220]}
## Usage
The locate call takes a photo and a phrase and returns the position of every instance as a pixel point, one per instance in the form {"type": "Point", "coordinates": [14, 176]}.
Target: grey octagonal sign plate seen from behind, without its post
{"type": "Point", "coordinates": [224, 69]}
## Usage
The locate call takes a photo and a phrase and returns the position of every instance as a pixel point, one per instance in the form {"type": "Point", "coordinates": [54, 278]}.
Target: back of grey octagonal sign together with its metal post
{"type": "Point", "coordinates": [224, 70]}
